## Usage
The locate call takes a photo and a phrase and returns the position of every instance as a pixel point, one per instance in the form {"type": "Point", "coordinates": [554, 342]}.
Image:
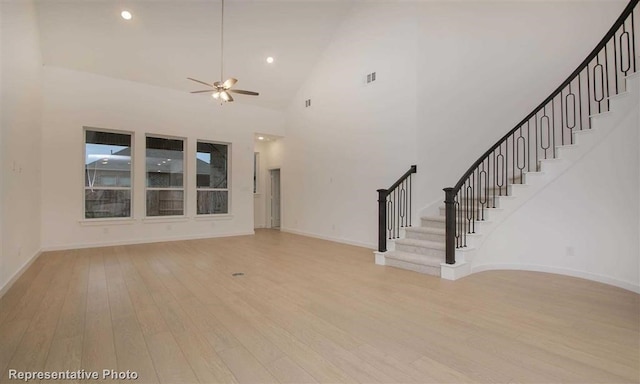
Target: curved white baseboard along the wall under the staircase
{"type": "Point", "coordinates": [559, 271]}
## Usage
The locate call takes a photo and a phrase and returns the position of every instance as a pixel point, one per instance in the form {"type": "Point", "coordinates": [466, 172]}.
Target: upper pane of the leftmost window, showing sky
{"type": "Point", "coordinates": [107, 160]}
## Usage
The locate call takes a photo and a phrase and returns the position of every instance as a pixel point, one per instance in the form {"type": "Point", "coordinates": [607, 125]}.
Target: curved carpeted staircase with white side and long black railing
{"type": "Point", "coordinates": [492, 188]}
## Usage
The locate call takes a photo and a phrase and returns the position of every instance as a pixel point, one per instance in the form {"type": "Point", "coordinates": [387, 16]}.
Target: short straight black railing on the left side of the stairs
{"type": "Point", "coordinates": [394, 209]}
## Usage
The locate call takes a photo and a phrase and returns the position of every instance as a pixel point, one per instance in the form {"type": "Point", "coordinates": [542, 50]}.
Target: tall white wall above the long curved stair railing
{"type": "Point", "coordinates": [483, 66]}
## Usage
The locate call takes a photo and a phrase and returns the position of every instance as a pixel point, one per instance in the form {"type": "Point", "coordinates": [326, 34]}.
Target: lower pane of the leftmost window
{"type": "Point", "coordinates": [107, 203]}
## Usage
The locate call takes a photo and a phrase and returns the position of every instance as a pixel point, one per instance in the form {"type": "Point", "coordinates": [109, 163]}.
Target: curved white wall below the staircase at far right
{"type": "Point", "coordinates": [585, 223]}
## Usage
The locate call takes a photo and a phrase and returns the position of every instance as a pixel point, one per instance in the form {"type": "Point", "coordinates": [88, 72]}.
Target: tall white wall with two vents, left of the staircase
{"type": "Point", "coordinates": [355, 138]}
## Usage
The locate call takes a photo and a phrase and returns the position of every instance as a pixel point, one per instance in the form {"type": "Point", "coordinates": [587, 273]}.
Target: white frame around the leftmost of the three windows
{"type": "Point", "coordinates": [131, 134]}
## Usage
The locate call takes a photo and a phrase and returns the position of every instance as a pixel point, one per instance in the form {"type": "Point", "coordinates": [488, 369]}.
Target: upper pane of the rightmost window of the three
{"type": "Point", "coordinates": [212, 165]}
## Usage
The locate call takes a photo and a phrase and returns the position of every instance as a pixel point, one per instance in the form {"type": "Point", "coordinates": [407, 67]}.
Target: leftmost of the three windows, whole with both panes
{"type": "Point", "coordinates": [107, 185]}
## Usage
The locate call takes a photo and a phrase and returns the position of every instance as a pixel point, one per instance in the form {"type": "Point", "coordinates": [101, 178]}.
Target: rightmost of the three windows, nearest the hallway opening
{"type": "Point", "coordinates": [212, 181]}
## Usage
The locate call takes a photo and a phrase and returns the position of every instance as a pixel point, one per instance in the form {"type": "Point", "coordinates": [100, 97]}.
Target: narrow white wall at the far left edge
{"type": "Point", "coordinates": [21, 101]}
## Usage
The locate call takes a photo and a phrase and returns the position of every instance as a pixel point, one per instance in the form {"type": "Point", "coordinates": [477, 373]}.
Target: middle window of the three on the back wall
{"type": "Point", "coordinates": [165, 176]}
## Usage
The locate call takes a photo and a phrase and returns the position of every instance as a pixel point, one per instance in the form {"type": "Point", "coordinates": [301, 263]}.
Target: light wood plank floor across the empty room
{"type": "Point", "coordinates": [308, 311]}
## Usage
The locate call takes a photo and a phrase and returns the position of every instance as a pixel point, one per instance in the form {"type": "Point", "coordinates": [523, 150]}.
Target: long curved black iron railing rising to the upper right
{"type": "Point", "coordinates": [566, 110]}
